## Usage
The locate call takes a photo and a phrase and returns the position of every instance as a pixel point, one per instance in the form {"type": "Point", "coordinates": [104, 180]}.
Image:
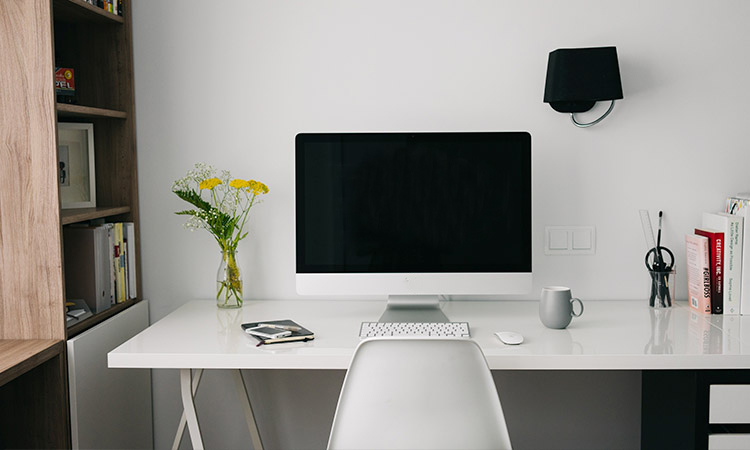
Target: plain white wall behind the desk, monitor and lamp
{"type": "Point", "coordinates": [231, 83]}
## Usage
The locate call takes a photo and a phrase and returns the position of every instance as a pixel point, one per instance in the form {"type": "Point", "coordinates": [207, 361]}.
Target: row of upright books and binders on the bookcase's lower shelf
{"type": "Point", "coordinates": [100, 264]}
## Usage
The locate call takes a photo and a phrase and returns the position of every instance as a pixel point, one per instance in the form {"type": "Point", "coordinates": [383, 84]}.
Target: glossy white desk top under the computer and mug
{"type": "Point", "coordinates": [611, 335]}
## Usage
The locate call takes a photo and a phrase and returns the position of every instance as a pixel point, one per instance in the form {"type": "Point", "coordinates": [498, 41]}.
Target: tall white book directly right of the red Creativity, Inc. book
{"type": "Point", "coordinates": [732, 227]}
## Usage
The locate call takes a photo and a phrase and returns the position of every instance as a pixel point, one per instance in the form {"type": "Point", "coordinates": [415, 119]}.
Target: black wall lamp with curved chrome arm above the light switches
{"type": "Point", "coordinates": [577, 78]}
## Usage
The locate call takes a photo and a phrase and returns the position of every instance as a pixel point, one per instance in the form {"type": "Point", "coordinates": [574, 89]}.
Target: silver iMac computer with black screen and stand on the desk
{"type": "Point", "coordinates": [413, 216]}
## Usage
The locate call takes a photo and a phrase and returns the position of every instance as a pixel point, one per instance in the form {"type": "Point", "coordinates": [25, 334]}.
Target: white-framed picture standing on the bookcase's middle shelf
{"type": "Point", "coordinates": [76, 172]}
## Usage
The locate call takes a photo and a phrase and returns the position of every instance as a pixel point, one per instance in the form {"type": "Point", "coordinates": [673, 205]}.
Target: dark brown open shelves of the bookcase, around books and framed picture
{"type": "Point", "coordinates": [98, 46]}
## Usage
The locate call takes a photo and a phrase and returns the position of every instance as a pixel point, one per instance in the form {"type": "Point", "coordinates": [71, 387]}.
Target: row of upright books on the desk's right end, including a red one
{"type": "Point", "coordinates": [719, 249]}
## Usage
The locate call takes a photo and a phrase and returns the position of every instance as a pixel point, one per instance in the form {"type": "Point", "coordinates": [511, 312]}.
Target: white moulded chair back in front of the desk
{"type": "Point", "coordinates": [419, 393]}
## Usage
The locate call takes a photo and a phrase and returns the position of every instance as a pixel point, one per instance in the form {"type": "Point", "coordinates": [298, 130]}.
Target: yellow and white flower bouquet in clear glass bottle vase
{"type": "Point", "coordinates": [224, 214]}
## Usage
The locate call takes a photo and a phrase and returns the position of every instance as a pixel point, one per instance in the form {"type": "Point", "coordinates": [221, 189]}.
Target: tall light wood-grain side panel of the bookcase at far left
{"type": "Point", "coordinates": [31, 283]}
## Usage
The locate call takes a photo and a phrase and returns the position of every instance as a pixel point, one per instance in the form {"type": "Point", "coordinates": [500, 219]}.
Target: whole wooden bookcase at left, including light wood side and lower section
{"type": "Point", "coordinates": [36, 36]}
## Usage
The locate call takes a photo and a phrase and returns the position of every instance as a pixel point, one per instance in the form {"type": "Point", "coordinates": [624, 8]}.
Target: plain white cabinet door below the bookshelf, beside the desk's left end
{"type": "Point", "coordinates": [109, 408]}
